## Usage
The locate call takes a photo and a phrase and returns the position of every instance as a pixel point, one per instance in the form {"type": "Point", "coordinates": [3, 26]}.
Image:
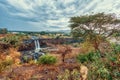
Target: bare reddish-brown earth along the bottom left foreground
{"type": "Point", "coordinates": [35, 72]}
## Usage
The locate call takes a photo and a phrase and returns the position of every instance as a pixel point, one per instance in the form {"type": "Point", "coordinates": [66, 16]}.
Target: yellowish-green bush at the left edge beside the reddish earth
{"type": "Point", "coordinates": [5, 63]}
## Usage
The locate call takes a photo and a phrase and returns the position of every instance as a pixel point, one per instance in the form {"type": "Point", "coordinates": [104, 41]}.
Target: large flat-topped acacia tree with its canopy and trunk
{"type": "Point", "coordinates": [94, 28]}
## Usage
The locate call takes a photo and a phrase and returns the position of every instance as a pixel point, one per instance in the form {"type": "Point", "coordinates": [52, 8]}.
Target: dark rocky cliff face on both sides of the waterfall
{"type": "Point", "coordinates": [30, 45]}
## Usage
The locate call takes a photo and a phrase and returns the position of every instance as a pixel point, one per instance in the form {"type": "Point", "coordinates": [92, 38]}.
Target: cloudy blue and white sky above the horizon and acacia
{"type": "Point", "coordinates": [49, 15]}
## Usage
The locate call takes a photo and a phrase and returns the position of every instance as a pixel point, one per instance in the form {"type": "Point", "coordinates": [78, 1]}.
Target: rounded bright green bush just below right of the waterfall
{"type": "Point", "coordinates": [47, 59]}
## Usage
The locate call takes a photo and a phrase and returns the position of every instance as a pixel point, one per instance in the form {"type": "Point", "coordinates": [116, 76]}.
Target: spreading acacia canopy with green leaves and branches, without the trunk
{"type": "Point", "coordinates": [81, 25]}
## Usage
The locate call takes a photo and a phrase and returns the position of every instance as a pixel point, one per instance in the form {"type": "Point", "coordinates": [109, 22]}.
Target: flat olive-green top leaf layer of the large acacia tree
{"type": "Point", "coordinates": [99, 17]}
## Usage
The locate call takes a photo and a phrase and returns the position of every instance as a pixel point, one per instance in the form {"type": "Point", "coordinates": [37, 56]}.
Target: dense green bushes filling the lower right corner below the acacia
{"type": "Point", "coordinates": [103, 68]}
